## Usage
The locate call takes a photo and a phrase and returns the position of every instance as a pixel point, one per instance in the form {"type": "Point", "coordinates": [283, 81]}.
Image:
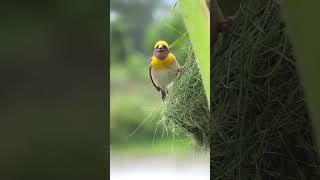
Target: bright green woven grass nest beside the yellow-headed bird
{"type": "Point", "coordinates": [186, 107]}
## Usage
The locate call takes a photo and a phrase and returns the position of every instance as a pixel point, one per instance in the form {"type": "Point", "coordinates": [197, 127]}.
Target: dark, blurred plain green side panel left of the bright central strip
{"type": "Point", "coordinates": [53, 101]}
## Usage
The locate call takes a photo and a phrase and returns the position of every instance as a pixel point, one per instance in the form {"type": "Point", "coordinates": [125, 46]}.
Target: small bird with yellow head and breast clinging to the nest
{"type": "Point", "coordinates": [163, 68]}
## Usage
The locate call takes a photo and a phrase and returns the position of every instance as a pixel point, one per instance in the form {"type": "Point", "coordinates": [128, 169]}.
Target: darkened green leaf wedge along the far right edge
{"type": "Point", "coordinates": [306, 43]}
